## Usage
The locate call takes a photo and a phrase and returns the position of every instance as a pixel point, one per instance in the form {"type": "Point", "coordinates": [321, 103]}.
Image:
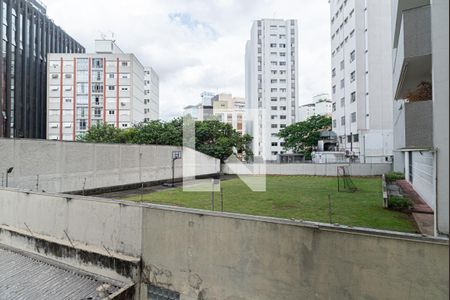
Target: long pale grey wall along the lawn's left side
{"type": "Point", "coordinates": [65, 167]}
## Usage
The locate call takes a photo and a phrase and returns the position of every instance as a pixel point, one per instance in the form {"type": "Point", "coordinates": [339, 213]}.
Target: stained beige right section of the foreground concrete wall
{"type": "Point", "coordinates": [214, 256]}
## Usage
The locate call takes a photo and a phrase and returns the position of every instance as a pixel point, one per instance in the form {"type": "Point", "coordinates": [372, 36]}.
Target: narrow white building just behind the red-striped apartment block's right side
{"type": "Point", "coordinates": [151, 92]}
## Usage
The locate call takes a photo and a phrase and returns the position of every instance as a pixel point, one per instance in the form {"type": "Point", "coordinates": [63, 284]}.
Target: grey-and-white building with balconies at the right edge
{"type": "Point", "coordinates": [421, 58]}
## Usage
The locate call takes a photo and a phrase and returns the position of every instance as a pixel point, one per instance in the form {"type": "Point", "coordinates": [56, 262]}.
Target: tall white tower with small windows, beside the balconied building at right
{"type": "Point", "coordinates": [362, 78]}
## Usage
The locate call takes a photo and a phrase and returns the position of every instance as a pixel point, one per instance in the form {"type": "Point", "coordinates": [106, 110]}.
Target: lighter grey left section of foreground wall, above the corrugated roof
{"type": "Point", "coordinates": [87, 221]}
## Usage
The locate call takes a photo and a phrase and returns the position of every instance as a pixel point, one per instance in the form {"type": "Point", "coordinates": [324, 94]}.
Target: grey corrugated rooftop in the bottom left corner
{"type": "Point", "coordinates": [28, 276]}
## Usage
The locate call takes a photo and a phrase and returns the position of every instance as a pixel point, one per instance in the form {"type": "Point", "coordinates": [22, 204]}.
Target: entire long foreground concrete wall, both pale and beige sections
{"type": "Point", "coordinates": [206, 255]}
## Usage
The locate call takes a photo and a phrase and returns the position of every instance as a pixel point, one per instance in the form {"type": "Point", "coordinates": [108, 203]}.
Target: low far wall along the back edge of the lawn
{"type": "Point", "coordinates": [308, 169]}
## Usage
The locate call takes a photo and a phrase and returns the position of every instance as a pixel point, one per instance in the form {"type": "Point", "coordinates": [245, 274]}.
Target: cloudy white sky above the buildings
{"type": "Point", "coordinates": [198, 45]}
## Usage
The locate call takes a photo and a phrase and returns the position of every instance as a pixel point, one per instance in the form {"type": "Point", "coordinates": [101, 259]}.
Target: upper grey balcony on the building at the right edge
{"type": "Point", "coordinates": [412, 57]}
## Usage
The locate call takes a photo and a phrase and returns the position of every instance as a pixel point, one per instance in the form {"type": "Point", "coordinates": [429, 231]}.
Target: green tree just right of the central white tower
{"type": "Point", "coordinates": [303, 136]}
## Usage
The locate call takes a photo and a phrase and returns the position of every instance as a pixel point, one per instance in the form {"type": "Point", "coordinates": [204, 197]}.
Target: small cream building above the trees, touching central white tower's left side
{"type": "Point", "coordinates": [230, 110]}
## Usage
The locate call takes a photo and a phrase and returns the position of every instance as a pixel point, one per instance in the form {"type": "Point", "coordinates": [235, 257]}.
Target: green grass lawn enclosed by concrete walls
{"type": "Point", "coordinates": [297, 197]}
